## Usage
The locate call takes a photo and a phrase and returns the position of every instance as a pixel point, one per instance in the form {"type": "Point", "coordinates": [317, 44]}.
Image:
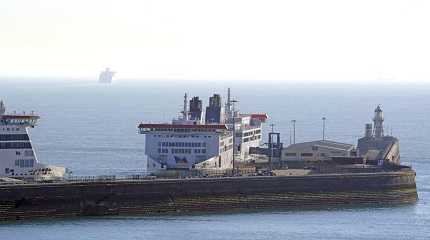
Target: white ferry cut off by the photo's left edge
{"type": "Point", "coordinates": [17, 155]}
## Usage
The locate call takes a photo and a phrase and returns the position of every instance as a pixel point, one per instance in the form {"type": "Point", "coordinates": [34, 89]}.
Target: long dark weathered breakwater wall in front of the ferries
{"type": "Point", "coordinates": [164, 196]}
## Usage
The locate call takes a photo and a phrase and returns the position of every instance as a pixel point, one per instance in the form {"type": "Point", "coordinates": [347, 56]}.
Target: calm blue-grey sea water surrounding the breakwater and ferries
{"type": "Point", "coordinates": [91, 129]}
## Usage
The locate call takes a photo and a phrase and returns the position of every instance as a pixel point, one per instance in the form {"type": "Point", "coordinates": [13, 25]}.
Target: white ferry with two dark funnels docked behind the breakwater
{"type": "Point", "coordinates": [216, 141]}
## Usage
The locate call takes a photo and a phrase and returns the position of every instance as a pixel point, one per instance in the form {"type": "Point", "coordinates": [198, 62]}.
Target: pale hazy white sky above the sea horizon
{"type": "Point", "coordinates": [338, 40]}
